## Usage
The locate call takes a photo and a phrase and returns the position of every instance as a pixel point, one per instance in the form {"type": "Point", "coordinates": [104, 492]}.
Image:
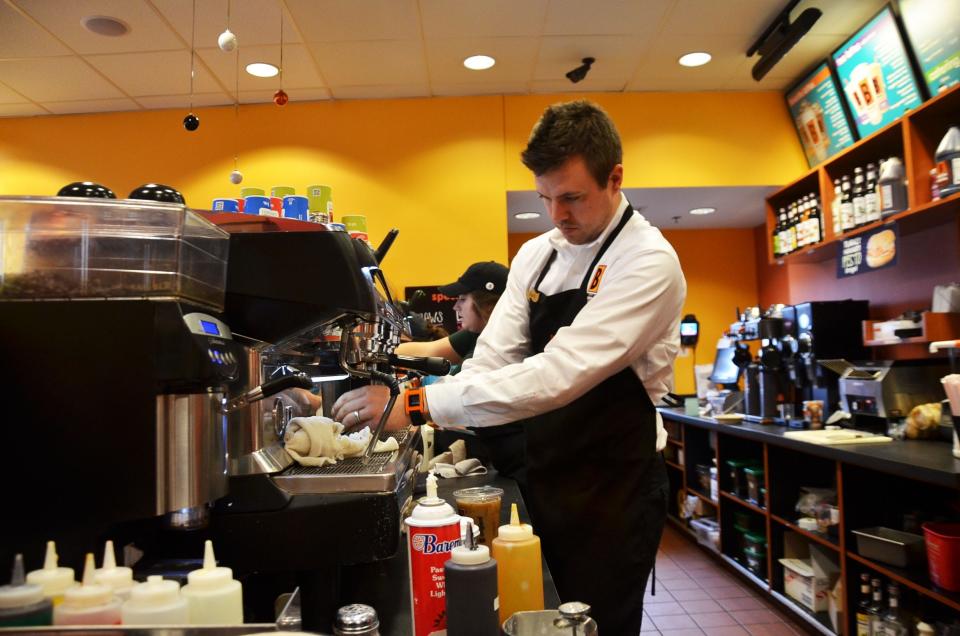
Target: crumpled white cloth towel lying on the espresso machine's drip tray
{"type": "Point", "coordinates": [318, 441]}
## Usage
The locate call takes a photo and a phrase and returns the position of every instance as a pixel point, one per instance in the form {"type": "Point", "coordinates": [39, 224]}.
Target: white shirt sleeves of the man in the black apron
{"type": "Point", "coordinates": [641, 296]}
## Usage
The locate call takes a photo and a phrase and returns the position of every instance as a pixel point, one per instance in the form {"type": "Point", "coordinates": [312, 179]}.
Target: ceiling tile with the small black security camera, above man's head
{"type": "Point", "coordinates": [617, 57]}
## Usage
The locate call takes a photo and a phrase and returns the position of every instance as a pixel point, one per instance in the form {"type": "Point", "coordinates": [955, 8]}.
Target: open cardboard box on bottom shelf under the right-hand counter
{"type": "Point", "coordinates": [808, 572]}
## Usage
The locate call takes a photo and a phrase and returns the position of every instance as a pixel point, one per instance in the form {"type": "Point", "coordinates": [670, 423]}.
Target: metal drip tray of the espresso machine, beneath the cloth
{"type": "Point", "coordinates": [382, 473]}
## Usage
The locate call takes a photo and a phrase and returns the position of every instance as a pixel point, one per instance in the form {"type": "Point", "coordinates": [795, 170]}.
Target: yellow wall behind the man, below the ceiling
{"type": "Point", "coordinates": [438, 169]}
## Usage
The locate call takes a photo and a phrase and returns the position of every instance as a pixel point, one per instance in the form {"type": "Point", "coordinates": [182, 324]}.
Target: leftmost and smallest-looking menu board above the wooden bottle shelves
{"type": "Point", "coordinates": [818, 115]}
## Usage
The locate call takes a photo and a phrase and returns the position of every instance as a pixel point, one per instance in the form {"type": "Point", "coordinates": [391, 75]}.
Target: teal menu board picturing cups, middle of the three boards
{"type": "Point", "coordinates": [875, 74]}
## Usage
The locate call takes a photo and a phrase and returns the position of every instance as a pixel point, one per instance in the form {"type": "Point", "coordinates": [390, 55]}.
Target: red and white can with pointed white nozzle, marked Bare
{"type": "Point", "coordinates": [433, 530]}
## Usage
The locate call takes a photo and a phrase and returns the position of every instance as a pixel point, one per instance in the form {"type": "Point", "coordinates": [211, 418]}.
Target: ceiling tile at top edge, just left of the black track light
{"type": "Point", "coordinates": [747, 18]}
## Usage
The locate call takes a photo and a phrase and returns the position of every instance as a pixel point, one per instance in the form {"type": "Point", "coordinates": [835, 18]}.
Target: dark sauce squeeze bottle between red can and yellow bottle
{"type": "Point", "coordinates": [471, 580]}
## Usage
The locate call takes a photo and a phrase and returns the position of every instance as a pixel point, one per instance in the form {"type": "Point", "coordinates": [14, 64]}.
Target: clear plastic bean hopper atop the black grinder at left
{"type": "Point", "coordinates": [62, 247]}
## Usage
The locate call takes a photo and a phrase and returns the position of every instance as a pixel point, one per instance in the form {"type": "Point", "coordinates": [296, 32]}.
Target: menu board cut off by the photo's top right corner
{"type": "Point", "coordinates": [933, 27]}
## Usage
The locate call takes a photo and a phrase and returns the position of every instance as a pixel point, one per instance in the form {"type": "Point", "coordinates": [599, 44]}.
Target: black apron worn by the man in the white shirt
{"type": "Point", "coordinates": [596, 487]}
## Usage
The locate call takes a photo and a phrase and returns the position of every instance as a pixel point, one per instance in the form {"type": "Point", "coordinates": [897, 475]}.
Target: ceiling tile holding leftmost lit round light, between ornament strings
{"type": "Point", "coordinates": [300, 71]}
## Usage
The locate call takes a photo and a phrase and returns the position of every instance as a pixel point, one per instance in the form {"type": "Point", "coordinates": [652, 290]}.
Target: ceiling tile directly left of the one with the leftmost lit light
{"type": "Point", "coordinates": [154, 73]}
